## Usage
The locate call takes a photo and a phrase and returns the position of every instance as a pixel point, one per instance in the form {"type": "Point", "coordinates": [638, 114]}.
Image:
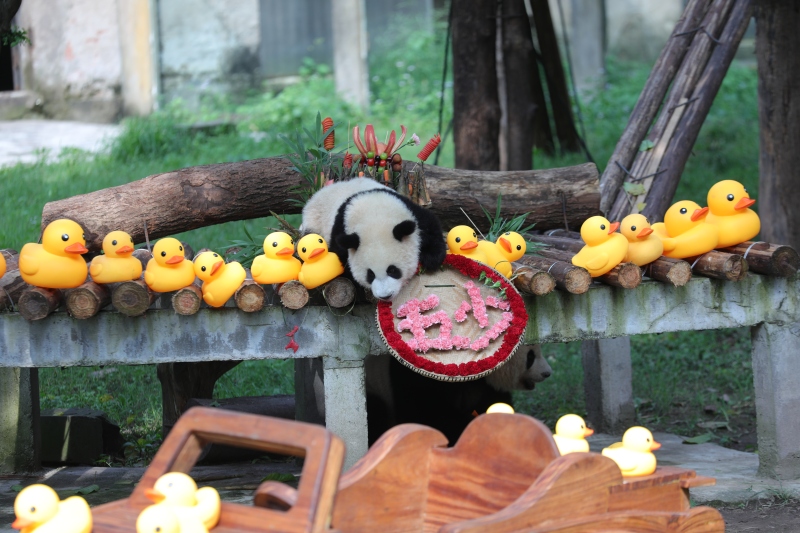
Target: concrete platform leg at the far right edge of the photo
{"type": "Point", "coordinates": [776, 367]}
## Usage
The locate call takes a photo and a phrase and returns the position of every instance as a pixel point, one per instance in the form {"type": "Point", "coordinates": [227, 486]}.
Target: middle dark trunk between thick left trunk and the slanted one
{"type": "Point", "coordinates": [526, 112]}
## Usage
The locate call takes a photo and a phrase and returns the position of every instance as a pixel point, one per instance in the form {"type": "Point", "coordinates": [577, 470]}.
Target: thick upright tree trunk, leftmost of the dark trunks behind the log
{"type": "Point", "coordinates": [476, 109]}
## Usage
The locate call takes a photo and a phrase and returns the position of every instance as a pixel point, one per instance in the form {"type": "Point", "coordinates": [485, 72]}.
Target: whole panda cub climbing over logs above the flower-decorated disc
{"type": "Point", "coordinates": [380, 236]}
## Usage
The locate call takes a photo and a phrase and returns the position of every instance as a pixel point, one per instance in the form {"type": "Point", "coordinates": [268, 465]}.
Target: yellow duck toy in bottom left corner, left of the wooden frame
{"type": "Point", "coordinates": [38, 510]}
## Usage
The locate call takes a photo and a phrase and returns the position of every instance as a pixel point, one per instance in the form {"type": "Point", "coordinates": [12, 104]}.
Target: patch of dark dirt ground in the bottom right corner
{"type": "Point", "coordinates": [777, 515]}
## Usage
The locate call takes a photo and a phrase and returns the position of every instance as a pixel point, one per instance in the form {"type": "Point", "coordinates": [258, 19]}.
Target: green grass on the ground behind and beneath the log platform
{"type": "Point", "coordinates": [676, 376]}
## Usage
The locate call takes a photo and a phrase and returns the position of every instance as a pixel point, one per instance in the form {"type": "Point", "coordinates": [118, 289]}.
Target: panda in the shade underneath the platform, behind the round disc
{"type": "Point", "coordinates": [398, 395]}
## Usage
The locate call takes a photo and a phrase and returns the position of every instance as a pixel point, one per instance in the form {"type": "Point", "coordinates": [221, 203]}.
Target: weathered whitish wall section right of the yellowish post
{"type": "Point", "coordinates": [208, 46]}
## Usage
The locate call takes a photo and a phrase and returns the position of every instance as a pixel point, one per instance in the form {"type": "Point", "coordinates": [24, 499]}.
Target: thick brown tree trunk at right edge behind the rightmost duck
{"type": "Point", "coordinates": [777, 45]}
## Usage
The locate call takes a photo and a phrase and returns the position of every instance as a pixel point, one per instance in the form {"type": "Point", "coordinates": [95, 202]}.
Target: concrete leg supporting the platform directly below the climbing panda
{"type": "Point", "coordinates": [346, 406]}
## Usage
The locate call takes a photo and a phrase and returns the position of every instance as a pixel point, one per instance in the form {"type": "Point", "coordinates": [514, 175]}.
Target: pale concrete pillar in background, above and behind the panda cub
{"type": "Point", "coordinates": [349, 20]}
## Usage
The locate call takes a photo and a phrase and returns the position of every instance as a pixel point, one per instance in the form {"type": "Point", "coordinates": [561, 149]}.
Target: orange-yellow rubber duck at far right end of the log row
{"type": "Point", "coordinates": [728, 203]}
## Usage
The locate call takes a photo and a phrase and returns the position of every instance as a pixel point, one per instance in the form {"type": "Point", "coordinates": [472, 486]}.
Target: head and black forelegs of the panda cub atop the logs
{"type": "Point", "coordinates": [386, 239]}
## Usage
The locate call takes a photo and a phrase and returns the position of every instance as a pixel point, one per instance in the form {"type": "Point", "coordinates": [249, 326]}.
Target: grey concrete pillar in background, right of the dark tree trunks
{"type": "Point", "coordinates": [587, 43]}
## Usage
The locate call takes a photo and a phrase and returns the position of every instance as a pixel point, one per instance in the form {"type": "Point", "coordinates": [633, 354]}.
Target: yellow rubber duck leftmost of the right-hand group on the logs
{"type": "Point", "coordinates": [604, 248]}
